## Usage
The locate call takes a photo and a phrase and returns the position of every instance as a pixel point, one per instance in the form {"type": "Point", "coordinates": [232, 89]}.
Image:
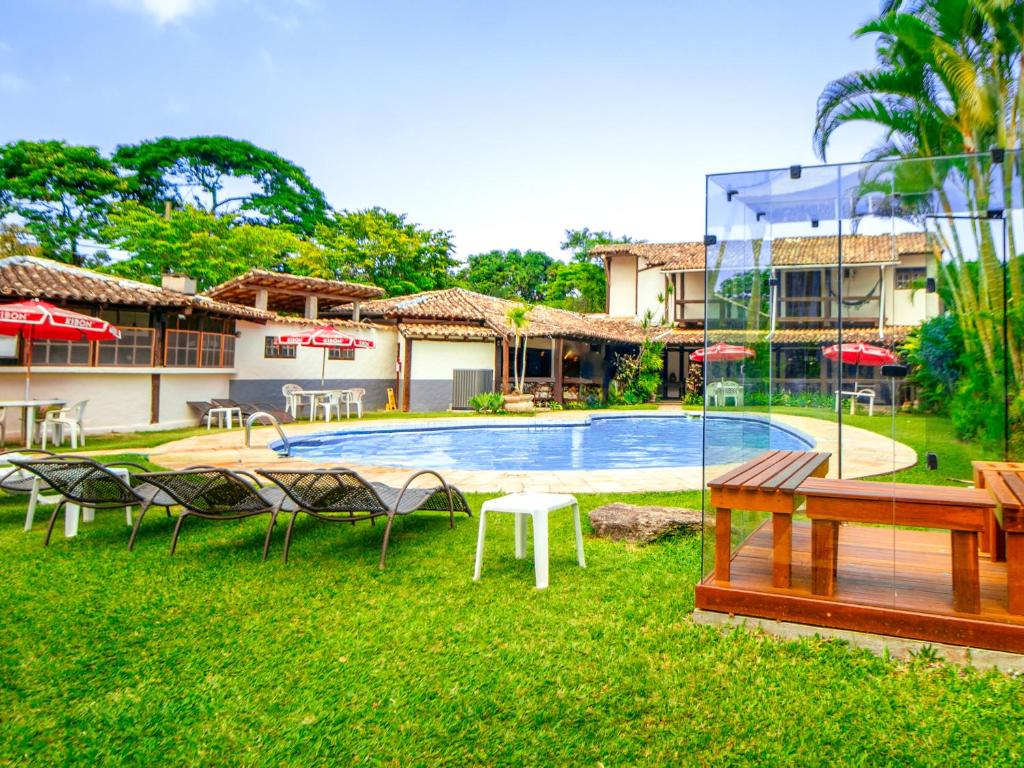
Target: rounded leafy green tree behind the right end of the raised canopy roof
{"type": "Point", "coordinates": [382, 248]}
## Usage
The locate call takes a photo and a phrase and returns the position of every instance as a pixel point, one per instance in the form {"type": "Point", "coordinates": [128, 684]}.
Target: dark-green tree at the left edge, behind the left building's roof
{"type": "Point", "coordinates": [62, 192]}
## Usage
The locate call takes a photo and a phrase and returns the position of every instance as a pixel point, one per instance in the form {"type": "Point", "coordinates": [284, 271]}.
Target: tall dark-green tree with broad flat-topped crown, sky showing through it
{"type": "Point", "coordinates": [224, 177]}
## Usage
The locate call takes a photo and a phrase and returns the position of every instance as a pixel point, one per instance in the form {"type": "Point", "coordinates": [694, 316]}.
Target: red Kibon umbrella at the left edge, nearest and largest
{"type": "Point", "coordinates": [37, 320]}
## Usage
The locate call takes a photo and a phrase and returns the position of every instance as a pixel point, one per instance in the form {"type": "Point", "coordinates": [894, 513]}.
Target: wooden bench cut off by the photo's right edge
{"type": "Point", "coordinates": [1005, 527]}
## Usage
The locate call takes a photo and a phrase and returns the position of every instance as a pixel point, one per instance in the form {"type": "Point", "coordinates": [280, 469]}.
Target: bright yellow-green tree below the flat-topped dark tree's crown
{"type": "Point", "coordinates": [190, 241]}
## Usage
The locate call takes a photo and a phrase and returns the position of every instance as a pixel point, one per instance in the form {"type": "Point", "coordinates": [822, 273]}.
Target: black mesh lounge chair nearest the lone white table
{"type": "Point", "coordinates": [340, 495]}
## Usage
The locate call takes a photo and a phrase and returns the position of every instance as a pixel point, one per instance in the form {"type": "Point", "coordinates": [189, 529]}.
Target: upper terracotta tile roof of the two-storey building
{"type": "Point", "coordinates": [822, 251]}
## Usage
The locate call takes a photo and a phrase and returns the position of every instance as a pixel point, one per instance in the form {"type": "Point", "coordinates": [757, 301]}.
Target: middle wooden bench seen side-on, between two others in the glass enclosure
{"type": "Point", "coordinates": [962, 511]}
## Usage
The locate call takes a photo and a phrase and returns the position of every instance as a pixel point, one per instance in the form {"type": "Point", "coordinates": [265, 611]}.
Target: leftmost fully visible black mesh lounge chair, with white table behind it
{"type": "Point", "coordinates": [90, 484]}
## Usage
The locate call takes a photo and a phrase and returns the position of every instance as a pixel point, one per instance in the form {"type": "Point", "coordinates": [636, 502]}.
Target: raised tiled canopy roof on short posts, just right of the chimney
{"type": "Point", "coordinates": [287, 292]}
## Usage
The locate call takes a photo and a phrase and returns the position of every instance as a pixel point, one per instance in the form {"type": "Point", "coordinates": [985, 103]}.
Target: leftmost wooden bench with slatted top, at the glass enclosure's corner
{"type": "Point", "coordinates": [767, 484]}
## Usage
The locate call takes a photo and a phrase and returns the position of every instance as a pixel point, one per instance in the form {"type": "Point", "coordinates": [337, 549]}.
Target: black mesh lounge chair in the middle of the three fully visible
{"type": "Point", "coordinates": [219, 494]}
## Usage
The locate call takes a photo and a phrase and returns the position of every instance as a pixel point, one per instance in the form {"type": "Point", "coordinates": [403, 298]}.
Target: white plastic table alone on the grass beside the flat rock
{"type": "Point", "coordinates": [538, 506]}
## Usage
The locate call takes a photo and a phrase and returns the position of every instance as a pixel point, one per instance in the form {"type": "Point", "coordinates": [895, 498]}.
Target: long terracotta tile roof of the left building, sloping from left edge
{"type": "Point", "coordinates": [33, 277]}
